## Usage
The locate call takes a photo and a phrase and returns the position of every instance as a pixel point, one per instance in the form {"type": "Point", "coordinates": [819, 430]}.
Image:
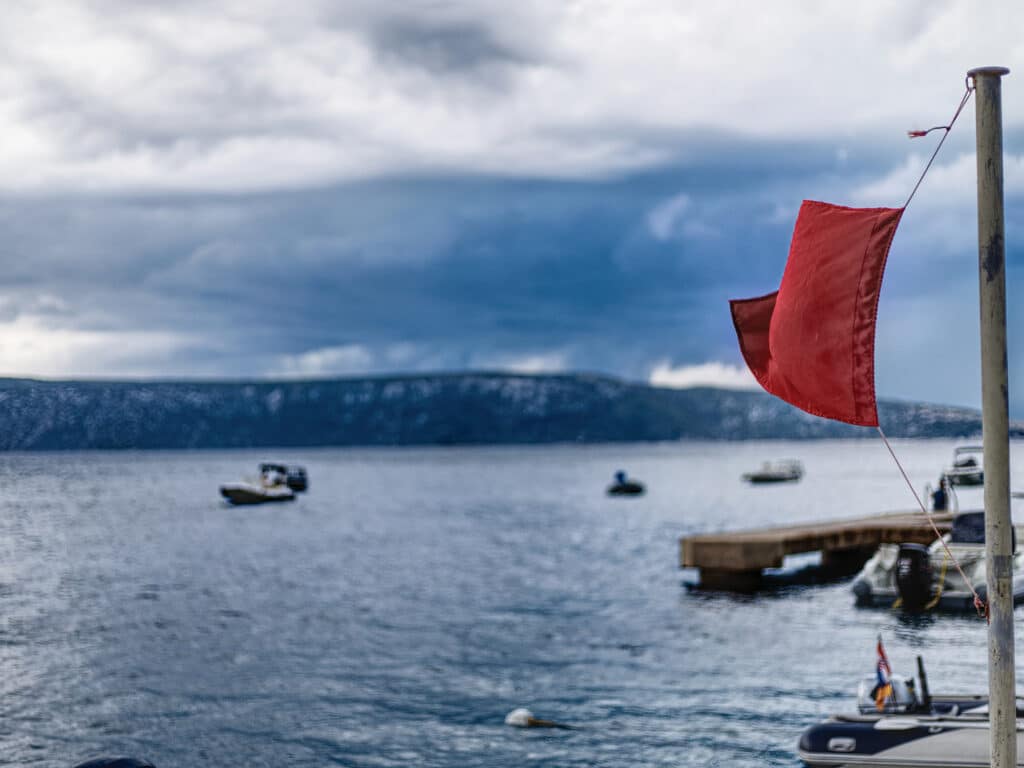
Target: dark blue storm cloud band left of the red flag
{"type": "Point", "coordinates": [613, 275]}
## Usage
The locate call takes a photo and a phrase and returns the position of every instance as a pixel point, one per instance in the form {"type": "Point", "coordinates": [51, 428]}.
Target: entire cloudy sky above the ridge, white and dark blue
{"type": "Point", "coordinates": [265, 189]}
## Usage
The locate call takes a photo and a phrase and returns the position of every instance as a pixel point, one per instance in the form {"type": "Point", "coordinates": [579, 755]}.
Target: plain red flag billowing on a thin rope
{"type": "Point", "coordinates": [813, 343]}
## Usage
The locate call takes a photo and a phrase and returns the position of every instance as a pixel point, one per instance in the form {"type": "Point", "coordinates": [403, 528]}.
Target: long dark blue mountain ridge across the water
{"type": "Point", "coordinates": [421, 410]}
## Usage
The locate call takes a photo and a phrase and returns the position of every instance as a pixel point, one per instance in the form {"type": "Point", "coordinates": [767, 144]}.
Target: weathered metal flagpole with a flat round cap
{"type": "Point", "coordinates": [995, 414]}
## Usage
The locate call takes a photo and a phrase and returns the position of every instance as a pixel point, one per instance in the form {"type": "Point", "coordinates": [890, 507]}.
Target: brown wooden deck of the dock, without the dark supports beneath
{"type": "Point", "coordinates": [751, 550]}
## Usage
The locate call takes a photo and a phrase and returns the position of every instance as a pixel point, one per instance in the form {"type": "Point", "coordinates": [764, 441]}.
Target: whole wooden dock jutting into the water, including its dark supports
{"type": "Point", "coordinates": [736, 561]}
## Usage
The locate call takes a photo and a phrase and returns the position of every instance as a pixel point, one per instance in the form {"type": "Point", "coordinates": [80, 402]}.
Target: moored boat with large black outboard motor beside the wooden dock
{"type": "Point", "coordinates": [916, 578]}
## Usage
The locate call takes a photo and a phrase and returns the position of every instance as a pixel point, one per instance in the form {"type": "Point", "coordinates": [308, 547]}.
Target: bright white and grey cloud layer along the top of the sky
{"type": "Point", "coordinates": [246, 96]}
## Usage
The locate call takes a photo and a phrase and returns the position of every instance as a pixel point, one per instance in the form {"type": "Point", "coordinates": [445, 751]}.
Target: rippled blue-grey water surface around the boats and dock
{"type": "Point", "coordinates": [397, 613]}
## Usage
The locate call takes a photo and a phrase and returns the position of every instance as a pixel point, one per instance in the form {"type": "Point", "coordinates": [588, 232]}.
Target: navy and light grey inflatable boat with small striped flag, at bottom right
{"type": "Point", "coordinates": [914, 729]}
